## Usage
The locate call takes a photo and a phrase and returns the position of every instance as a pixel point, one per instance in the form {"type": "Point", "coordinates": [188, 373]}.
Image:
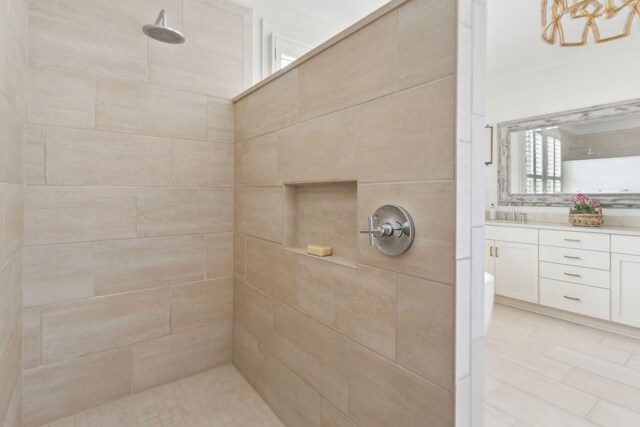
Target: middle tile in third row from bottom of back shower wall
{"type": "Point", "coordinates": [131, 265]}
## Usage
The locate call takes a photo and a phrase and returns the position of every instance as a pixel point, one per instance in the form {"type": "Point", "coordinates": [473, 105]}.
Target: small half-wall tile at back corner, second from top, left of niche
{"type": "Point", "coordinates": [257, 162]}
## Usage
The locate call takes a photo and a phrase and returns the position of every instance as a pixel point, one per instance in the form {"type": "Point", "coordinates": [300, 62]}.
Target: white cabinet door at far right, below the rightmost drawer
{"type": "Point", "coordinates": [625, 289]}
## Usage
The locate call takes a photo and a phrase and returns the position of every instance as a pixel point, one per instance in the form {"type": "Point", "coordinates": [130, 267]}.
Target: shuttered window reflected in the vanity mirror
{"type": "Point", "coordinates": [543, 157]}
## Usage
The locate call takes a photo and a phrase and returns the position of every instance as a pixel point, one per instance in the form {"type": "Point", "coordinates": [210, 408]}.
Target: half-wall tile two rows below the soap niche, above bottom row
{"type": "Point", "coordinates": [314, 352]}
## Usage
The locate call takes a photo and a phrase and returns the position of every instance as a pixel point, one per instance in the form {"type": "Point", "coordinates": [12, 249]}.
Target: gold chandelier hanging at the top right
{"type": "Point", "coordinates": [569, 22]}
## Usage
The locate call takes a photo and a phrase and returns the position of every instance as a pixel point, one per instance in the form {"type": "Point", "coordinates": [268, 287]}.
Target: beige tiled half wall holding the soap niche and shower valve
{"type": "Point", "coordinates": [369, 342]}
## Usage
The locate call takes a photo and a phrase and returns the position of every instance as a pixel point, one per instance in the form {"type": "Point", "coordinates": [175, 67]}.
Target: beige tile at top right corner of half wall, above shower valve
{"type": "Point", "coordinates": [426, 42]}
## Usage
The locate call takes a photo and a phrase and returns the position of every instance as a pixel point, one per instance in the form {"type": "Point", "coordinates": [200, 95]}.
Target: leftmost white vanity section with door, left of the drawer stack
{"type": "Point", "coordinates": [513, 261]}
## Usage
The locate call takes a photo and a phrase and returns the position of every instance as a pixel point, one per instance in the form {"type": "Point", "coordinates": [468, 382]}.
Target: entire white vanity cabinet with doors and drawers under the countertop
{"type": "Point", "coordinates": [594, 273]}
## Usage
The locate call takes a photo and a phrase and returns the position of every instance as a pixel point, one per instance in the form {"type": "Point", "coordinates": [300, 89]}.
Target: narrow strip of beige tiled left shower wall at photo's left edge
{"type": "Point", "coordinates": [13, 113]}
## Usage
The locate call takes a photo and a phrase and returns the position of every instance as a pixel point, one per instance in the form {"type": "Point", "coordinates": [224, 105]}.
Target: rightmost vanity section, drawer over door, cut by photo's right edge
{"type": "Point", "coordinates": [625, 280]}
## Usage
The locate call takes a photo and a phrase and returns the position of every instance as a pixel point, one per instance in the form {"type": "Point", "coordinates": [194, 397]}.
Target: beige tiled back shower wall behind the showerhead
{"type": "Point", "coordinates": [129, 163]}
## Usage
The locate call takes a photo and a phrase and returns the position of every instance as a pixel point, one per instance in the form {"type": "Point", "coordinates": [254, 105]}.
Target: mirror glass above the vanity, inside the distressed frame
{"type": "Point", "coordinates": [594, 156]}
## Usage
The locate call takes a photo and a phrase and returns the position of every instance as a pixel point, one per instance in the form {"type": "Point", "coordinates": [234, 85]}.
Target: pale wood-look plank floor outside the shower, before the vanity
{"type": "Point", "coordinates": [542, 371]}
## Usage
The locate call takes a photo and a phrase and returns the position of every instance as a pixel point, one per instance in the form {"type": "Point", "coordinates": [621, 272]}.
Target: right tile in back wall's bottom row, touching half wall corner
{"type": "Point", "coordinates": [177, 356]}
